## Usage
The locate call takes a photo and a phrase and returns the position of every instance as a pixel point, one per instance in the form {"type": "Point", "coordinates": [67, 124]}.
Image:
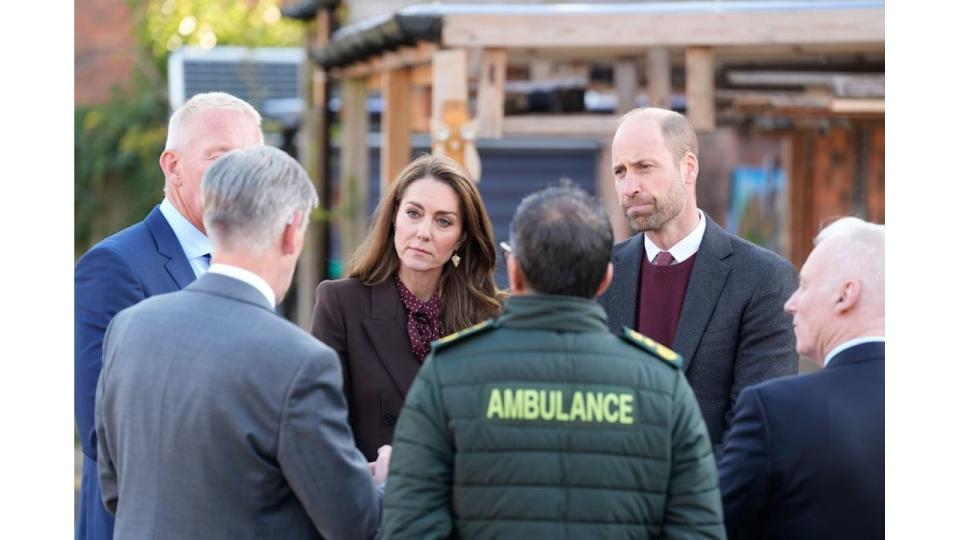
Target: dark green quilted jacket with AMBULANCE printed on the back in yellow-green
{"type": "Point", "coordinates": [543, 424]}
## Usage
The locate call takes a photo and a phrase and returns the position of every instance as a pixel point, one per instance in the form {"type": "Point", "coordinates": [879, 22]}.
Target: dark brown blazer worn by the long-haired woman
{"type": "Point", "coordinates": [367, 326]}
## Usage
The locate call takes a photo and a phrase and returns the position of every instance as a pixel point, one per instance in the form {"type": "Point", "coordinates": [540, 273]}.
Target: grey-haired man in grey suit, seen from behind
{"type": "Point", "coordinates": [215, 417]}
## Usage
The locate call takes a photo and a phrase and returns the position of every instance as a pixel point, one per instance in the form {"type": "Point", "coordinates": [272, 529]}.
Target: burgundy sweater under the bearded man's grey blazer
{"type": "Point", "coordinates": [660, 298]}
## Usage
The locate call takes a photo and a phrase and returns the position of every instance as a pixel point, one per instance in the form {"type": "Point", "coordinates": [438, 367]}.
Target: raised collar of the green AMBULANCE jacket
{"type": "Point", "coordinates": [553, 312]}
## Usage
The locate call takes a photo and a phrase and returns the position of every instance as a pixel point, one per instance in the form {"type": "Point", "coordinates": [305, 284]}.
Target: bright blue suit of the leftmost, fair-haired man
{"type": "Point", "coordinates": [123, 269]}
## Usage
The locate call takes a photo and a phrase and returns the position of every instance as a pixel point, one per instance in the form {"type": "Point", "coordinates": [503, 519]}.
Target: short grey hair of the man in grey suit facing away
{"type": "Point", "coordinates": [251, 194]}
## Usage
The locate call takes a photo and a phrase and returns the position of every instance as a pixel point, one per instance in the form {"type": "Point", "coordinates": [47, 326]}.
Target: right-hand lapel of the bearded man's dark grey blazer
{"type": "Point", "coordinates": [707, 279]}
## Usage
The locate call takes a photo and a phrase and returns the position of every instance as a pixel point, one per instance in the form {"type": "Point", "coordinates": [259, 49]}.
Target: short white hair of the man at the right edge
{"type": "Point", "coordinates": [863, 246]}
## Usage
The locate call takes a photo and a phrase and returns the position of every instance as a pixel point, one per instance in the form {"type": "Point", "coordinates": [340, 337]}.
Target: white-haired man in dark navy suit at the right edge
{"type": "Point", "coordinates": [804, 458]}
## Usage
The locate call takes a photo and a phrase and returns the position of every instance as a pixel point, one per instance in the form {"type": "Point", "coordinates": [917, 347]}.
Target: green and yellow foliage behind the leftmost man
{"type": "Point", "coordinates": [117, 145]}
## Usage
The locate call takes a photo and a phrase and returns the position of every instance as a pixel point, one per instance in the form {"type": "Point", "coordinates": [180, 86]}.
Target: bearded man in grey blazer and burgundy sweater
{"type": "Point", "coordinates": [714, 298]}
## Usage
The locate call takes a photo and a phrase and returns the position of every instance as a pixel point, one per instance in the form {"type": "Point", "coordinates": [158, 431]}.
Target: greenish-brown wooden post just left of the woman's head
{"type": "Point", "coordinates": [354, 166]}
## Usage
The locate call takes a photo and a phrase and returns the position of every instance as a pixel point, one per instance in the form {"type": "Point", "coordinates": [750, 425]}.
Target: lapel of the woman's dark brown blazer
{"type": "Point", "coordinates": [387, 330]}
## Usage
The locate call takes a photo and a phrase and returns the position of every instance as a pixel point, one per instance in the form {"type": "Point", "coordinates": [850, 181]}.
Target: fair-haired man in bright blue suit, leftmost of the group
{"type": "Point", "coordinates": [163, 253]}
